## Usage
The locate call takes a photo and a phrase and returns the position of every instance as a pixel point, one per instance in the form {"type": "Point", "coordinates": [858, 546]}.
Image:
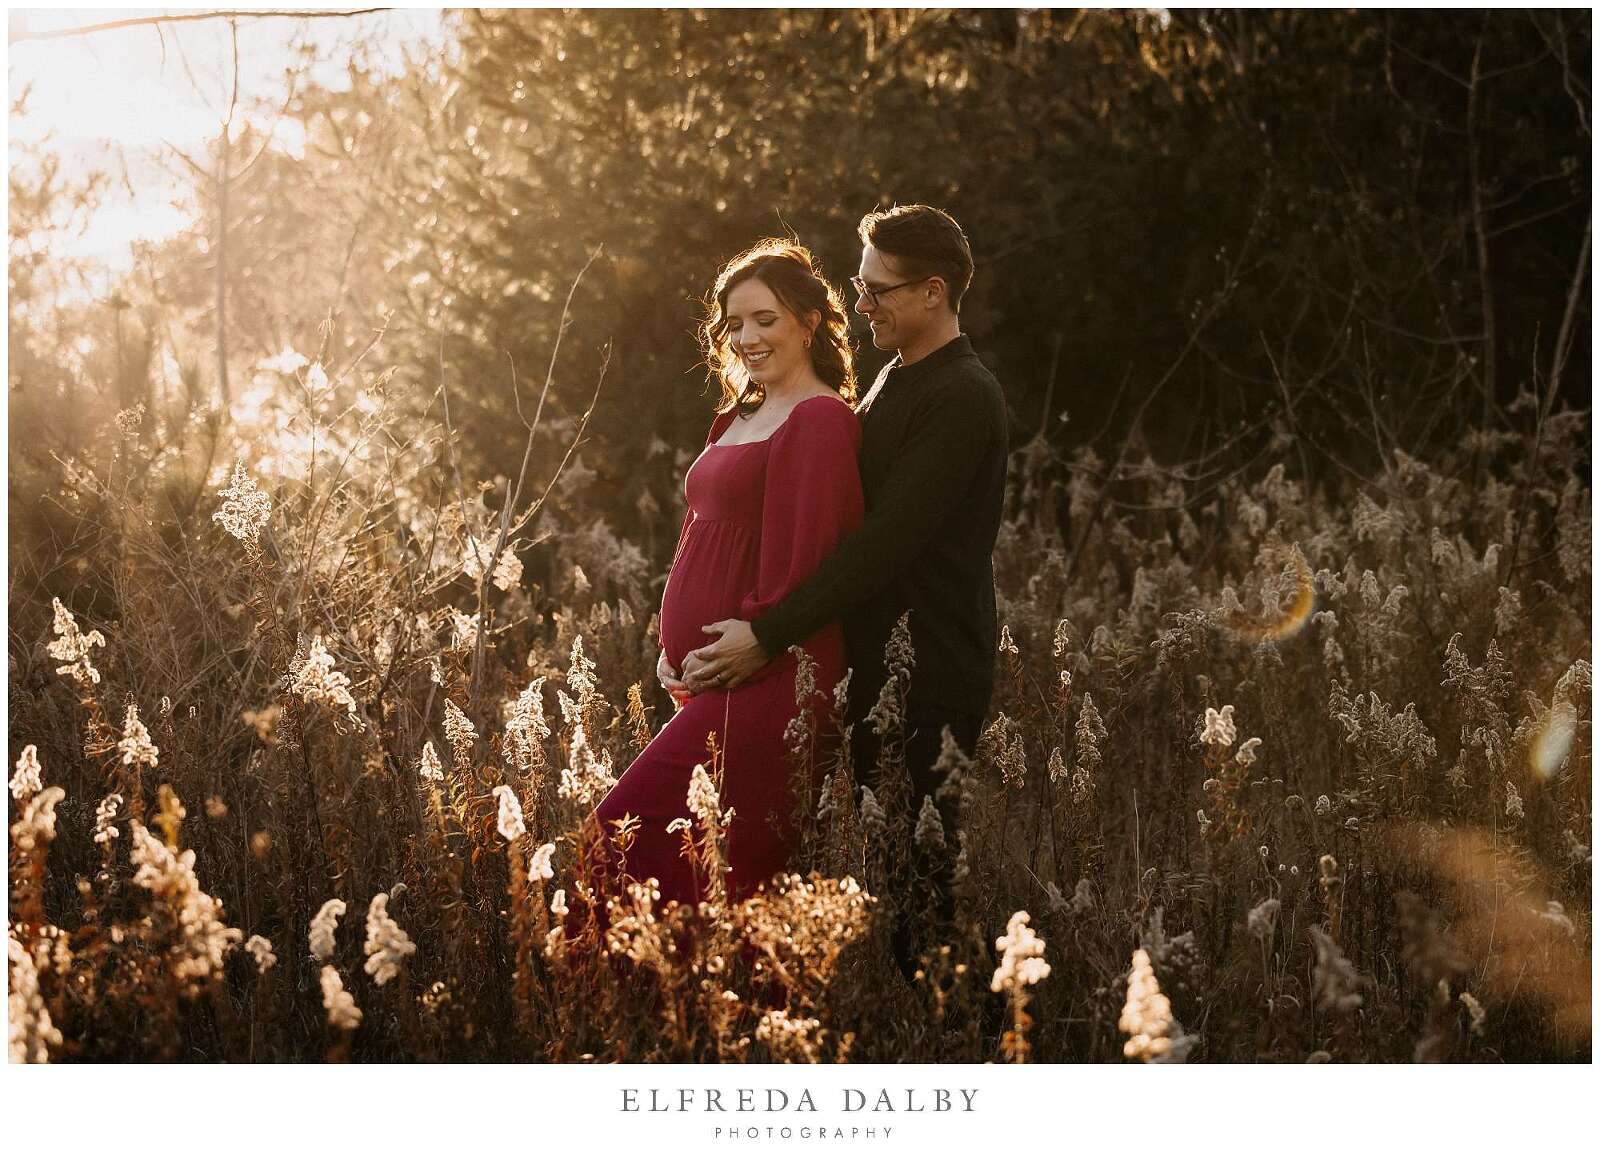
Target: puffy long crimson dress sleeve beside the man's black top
{"type": "Point", "coordinates": [812, 500]}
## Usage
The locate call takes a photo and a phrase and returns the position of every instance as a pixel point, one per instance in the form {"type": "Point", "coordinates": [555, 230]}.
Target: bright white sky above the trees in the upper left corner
{"type": "Point", "coordinates": [122, 100]}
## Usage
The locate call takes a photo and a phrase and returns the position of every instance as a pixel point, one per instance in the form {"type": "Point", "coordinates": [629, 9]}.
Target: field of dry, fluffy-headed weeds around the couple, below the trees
{"type": "Point", "coordinates": [1274, 775]}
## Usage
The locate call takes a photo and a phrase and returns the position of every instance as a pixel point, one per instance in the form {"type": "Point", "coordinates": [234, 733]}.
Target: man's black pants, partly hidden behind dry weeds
{"type": "Point", "coordinates": [935, 900]}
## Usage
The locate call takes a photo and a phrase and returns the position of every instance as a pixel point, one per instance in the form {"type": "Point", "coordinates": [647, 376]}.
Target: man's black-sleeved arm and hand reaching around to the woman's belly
{"type": "Point", "coordinates": [934, 471]}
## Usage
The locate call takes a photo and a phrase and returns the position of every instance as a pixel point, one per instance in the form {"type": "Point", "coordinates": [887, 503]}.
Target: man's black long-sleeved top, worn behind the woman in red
{"type": "Point", "coordinates": [934, 457]}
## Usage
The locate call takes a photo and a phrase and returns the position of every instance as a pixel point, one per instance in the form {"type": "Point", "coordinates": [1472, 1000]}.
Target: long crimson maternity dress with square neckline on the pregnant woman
{"type": "Point", "coordinates": [762, 516]}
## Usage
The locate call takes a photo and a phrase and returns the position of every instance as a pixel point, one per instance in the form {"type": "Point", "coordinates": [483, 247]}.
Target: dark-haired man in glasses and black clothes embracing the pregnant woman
{"type": "Point", "coordinates": [934, 458]}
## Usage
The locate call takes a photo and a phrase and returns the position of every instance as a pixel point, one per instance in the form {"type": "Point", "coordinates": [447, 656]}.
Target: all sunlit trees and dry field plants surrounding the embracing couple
{"type": "Point", "coordinates": [1290, 754]}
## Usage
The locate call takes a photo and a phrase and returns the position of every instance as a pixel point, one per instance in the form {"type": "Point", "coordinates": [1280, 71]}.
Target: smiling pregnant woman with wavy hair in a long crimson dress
{"type": "Point", "coordinates": [774, 492]}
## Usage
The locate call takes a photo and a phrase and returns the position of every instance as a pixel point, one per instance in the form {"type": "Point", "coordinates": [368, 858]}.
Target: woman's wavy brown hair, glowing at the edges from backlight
{"type": "Point", "coordinates": [791, 273]}
